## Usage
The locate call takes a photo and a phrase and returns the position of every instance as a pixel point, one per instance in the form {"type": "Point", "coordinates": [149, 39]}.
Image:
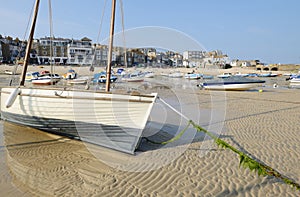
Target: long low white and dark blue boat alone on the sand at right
{"type": "Point", "coordinates": [232, 83]}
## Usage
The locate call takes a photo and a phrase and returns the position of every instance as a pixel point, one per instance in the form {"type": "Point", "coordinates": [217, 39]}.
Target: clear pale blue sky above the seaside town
{"type": "Point", "coordinates": [267, 30]}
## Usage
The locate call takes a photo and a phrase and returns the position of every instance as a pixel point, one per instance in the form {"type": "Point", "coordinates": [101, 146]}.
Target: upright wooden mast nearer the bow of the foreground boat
{"type": "Point", "coordinates": [110, 46]}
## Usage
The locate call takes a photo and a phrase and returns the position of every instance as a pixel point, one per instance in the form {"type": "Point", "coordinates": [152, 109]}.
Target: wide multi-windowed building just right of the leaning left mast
{"type": "Point", "coordinates": [50, 50]}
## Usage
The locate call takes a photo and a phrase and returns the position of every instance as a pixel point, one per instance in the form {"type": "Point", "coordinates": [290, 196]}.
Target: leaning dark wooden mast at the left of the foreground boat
{"type": "Point", "coordinates": [30, 40]}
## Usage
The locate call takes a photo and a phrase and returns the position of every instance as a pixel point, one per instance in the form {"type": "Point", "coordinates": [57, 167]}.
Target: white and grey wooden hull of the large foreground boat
{"type": "Point", "coordinates": [111, 120]}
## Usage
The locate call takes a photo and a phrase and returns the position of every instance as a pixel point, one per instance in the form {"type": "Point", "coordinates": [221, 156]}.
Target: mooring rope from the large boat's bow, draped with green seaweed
{"type": "Point", "coordinates": [245, 160]}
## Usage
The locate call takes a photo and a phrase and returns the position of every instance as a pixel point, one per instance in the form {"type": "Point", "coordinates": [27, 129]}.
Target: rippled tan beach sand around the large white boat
{"type": "Point", "coordinates": [262, 124]}
